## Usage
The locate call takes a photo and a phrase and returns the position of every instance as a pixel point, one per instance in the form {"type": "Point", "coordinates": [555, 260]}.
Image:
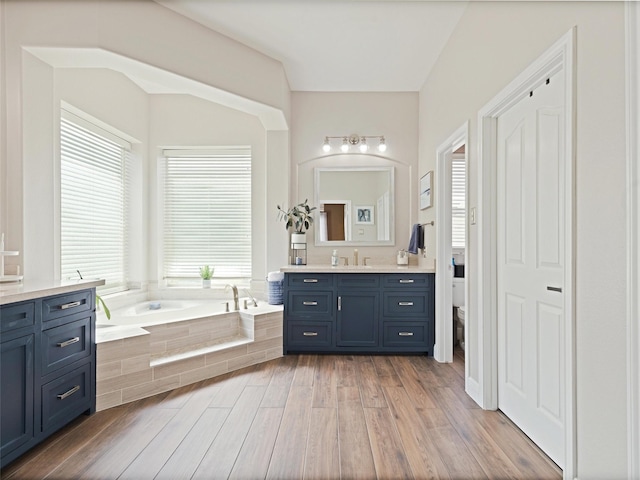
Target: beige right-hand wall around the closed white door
{"type": "Point", "coordinates": [491, 45]}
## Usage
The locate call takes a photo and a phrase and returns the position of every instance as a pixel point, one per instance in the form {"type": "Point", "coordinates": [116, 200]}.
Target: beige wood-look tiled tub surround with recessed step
{"type": "Point", "coordinates": [135, 362]}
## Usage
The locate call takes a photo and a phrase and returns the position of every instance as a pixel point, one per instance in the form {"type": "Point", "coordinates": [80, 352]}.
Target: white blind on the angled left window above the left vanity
{"type": "Point", "coordinates": [93, 202]}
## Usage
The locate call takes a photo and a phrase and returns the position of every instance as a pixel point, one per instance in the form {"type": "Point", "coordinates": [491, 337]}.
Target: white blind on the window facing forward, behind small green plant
{"type": "Point", "coordinates": [207, 213]}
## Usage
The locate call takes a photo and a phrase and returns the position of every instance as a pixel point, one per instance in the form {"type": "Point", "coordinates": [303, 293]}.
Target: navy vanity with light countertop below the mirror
{"type": "Point", "coordinates": [359, 309]}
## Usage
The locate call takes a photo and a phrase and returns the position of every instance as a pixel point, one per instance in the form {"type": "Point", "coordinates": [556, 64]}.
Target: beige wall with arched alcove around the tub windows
{"type": "Point", "coordinates": [139, 31]}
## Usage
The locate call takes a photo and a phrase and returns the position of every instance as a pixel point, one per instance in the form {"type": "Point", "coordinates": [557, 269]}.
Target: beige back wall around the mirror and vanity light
{"type": "Point", "coordinates": [394, 115]}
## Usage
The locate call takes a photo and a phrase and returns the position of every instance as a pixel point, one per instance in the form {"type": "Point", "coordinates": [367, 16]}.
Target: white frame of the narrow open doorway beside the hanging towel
{"type": "Point", "coordinates": [443, 348]}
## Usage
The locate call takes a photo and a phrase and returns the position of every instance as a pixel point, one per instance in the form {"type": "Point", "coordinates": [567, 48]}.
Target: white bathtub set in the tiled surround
{"type": "Point", "coordinates": [145, 314]}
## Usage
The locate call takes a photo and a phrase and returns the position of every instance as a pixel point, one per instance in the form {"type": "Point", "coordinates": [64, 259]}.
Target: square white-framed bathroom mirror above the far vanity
{"type": "Point", "coordinates": [355, 206]}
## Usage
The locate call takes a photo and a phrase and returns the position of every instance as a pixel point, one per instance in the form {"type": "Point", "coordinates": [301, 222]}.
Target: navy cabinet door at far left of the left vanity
{"type": "Point", "coordinates": [16, 393]}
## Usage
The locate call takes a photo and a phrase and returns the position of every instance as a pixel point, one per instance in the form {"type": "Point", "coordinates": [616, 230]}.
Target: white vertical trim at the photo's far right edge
{"type": "Point", "coordinates": [632, 41]}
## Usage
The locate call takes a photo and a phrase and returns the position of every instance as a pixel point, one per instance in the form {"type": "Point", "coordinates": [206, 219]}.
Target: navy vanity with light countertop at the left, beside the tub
{"type": "Point", "coordinates": [48, 366]}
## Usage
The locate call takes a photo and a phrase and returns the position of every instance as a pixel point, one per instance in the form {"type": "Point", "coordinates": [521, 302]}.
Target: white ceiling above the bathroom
{"type": "Point", "coordinates": [350, 46]}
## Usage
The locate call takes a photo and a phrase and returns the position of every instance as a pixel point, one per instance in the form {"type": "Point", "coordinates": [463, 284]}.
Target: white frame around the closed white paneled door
{"type": "Point", "coordinates": [560, 56]}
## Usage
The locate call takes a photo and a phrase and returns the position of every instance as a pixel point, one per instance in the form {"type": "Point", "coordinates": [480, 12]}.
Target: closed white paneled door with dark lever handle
{"type": "Point", "coordinates": [531, 266]}
